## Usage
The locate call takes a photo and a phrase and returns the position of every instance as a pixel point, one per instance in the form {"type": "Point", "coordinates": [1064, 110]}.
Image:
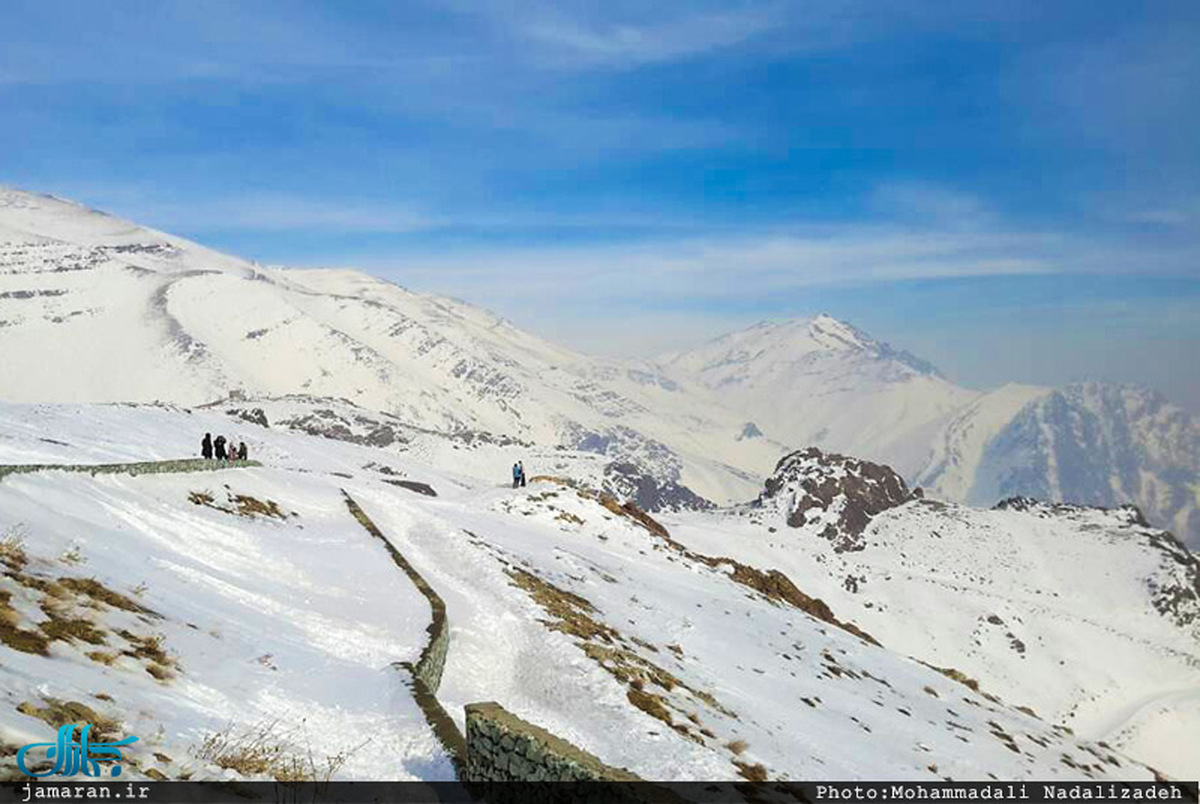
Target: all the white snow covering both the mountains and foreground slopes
{"type": "Point", "coordinates": [298, 620]}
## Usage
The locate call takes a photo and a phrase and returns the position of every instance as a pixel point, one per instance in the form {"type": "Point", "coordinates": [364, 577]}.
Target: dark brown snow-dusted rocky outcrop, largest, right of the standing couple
{"type": "Point", "coordinates": [833, 495]}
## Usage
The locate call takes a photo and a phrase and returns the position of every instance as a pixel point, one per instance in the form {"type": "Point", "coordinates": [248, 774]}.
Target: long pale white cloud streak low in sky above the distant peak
{"type": "Point", "coordinates": [727, 268]}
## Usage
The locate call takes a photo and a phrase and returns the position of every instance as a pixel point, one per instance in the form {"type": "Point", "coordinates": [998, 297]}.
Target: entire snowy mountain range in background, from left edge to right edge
{"type": "Point", "coordinates": [99, 310]}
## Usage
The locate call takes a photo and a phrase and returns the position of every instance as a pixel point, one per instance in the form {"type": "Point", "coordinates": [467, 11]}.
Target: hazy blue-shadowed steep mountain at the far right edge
{"type": "Point", "coordinates": [1091, 443]}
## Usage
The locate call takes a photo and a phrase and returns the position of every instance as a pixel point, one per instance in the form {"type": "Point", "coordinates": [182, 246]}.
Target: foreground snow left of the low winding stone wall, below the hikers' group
{"type": "Point", "coordinates": [259, 616]}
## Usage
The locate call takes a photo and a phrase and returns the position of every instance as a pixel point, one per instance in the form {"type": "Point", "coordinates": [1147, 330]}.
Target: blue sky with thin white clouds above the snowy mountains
{"type": "Point", "coordinates": [1009, 189]}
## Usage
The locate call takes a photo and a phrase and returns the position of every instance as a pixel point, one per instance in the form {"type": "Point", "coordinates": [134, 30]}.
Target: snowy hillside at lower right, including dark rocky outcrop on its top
{"type": "Point", "coordinates": [1088, 616]}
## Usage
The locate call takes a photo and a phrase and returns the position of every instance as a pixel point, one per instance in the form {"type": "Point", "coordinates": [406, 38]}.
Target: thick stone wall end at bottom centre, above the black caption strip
{"type": "Point", "coordinates": [502, 747]}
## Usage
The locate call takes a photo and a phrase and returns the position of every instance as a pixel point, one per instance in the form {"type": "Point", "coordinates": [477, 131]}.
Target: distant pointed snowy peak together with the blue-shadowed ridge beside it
{"type": "Point", "coordinates": [825, 383]}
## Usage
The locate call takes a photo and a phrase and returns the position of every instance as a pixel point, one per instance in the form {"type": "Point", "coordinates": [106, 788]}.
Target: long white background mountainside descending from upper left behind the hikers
{"type": "Point", "coordinates": [99, 310]}
